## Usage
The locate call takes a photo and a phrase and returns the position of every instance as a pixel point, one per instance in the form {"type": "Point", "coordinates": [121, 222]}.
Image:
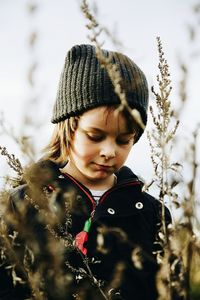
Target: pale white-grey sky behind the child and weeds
{"type": "Point", "coordinates": [59, 25]}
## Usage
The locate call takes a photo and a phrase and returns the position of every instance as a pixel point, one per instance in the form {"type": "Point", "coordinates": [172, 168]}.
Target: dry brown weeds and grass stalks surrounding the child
{"type": "Point", "coordinates": [179, 271]}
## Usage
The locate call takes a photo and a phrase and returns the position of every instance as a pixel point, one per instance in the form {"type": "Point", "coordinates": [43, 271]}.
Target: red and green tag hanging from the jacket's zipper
{"type": "Point", "coordinates": [82, 237]}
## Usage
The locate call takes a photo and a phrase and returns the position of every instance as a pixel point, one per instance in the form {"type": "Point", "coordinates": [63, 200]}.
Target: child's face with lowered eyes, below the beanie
{"type": "Point", "coordinates": [100, 146]}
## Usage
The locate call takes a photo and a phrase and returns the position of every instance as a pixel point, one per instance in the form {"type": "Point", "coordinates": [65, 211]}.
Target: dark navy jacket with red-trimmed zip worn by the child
{"type": "Point", "coordinates": [124, 224]}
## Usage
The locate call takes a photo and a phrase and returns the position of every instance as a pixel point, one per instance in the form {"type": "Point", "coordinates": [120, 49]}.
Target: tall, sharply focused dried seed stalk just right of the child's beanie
{"type": "Point", "coordinates": [161, 146]}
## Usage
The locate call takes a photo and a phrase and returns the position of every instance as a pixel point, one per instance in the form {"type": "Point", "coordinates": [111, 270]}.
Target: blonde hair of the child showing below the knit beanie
{"type": "Point", "coordinates": [58, 148]}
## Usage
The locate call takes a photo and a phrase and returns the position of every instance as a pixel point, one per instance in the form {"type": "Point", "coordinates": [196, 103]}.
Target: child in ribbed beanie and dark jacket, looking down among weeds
{"type": "Point", "coordinates": [111, 226]}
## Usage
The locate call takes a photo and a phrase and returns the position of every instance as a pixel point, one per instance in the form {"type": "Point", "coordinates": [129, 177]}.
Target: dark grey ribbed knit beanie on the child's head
{"type": "Point", "coordinates": [84, 84]}
